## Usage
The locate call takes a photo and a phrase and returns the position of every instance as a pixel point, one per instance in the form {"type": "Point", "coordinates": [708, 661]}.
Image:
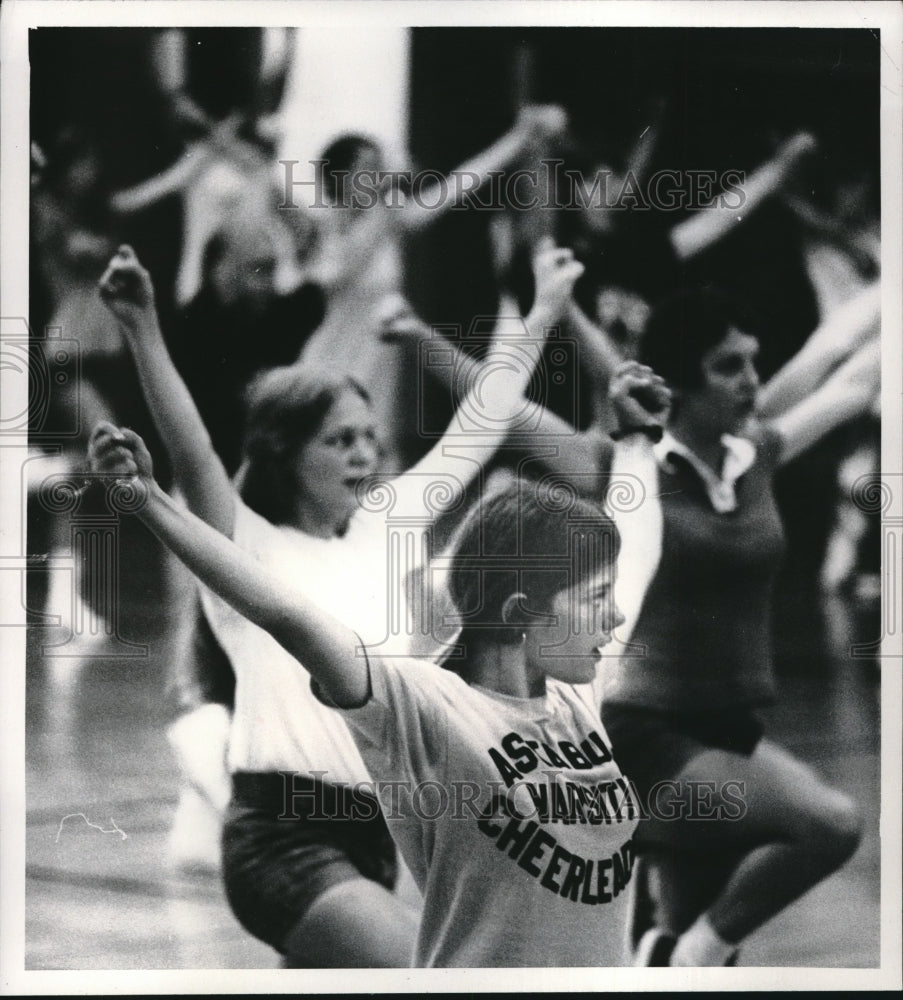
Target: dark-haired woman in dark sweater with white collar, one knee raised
{"type": "Point", "coordinates": [682, 715]}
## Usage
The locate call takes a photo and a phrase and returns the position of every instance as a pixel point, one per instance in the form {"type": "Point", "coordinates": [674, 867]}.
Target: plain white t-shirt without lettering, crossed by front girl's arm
{"type": "Point", "coordinates": [358, 579]}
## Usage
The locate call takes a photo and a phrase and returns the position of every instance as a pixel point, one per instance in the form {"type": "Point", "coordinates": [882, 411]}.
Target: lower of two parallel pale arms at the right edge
{"type": "Point", "coordinates": [848, 393]}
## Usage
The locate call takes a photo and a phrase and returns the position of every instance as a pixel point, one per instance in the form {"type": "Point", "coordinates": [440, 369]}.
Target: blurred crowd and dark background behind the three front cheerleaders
{"type": "Point", "coordinates": [170, 140]}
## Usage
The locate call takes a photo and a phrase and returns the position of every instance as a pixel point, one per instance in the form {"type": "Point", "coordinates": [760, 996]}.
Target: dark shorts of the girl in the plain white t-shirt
{"type": "Point", "coordinates": [281, 852]}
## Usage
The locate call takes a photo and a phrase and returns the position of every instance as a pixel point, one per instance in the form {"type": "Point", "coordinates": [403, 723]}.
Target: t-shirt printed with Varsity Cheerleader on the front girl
{"type": "Point", "coordinates": [539, 882]}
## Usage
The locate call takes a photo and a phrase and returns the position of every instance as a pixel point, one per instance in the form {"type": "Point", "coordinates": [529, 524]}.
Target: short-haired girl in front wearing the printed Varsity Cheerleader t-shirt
{"type": "Point", "coordinates": [498, 781]}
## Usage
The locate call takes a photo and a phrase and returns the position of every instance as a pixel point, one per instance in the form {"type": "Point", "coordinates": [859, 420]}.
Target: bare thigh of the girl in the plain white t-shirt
{"type": "Point", "coordinates": [355, 924]}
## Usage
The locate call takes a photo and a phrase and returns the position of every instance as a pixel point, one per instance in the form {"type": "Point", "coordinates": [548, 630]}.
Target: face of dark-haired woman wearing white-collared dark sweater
{"type": "Point", "coordinates": [727, 397]}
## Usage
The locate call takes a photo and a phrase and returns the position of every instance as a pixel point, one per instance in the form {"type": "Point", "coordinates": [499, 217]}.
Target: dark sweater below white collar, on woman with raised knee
{"type": "Point", "coordinates": [705, 624]}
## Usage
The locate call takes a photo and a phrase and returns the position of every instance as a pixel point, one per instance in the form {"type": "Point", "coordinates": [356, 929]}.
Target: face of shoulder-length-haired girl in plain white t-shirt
{"type": "Point", "coordinates": [331, 464]}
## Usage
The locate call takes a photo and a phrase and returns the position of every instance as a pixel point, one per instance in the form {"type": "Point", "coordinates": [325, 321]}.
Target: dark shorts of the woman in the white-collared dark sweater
{"type": "Point", "coordinates": [652, 746]}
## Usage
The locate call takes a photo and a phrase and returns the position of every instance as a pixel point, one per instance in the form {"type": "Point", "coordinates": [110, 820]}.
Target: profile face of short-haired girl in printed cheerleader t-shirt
{"type": "Point", "coordinates": [585, 617]}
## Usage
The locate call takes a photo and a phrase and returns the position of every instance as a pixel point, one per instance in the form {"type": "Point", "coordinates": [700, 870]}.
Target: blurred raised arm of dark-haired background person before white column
{"type": "Point", "coordinates": [535, 122]}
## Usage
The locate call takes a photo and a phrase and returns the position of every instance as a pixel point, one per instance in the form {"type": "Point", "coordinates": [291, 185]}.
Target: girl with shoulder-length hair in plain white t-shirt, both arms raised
{"type": "Point", "coordinates": [318, 891]}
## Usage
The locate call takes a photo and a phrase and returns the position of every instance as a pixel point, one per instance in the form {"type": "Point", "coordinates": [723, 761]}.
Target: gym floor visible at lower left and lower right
{"type": "Point", "coordinates": [101, 788]}
